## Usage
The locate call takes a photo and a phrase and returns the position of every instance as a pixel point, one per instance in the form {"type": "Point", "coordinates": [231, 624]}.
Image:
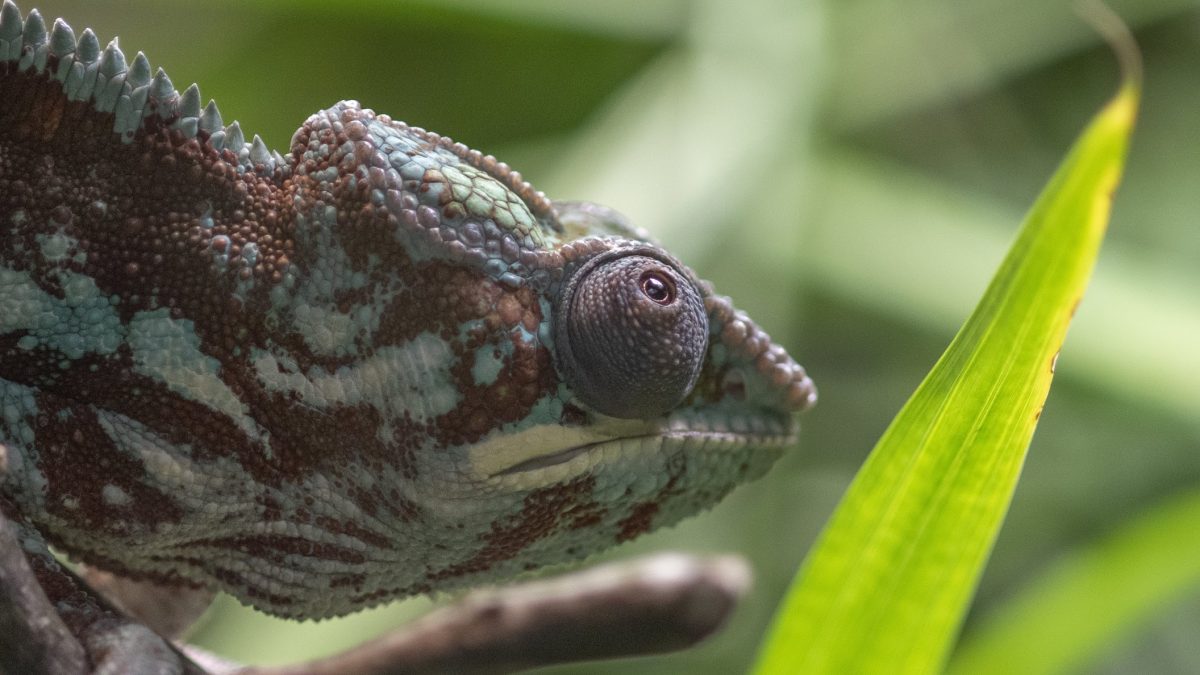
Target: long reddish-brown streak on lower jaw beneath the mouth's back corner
{"type": "Point", "coordinates": [543, 513]}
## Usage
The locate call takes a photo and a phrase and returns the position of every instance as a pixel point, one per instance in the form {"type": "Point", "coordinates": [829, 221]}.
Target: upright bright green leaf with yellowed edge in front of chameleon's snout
{"type": "Point", "coordinates": [887, 584]}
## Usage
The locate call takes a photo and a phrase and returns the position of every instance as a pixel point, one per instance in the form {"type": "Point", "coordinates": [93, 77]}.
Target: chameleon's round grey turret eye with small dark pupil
{"type": "Point", "coordinates": [632, 333]}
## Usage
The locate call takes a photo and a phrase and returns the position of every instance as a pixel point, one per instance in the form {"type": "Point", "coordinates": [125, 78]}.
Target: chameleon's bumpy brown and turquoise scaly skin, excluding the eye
{"type": "Point", "coordinates": [326, 380]}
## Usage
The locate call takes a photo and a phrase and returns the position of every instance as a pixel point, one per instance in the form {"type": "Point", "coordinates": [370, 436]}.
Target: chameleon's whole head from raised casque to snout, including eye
{"type": "Point", "coordinates": [569, 384]}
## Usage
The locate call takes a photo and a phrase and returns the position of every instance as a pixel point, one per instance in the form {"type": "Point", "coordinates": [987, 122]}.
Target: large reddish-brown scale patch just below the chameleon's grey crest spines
{"type": "Point", "coordinates": [136, 207]}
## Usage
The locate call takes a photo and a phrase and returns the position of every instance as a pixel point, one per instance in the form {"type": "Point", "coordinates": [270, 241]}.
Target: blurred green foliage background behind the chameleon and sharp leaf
{"type": "Point", "coordinates": [849, 171]}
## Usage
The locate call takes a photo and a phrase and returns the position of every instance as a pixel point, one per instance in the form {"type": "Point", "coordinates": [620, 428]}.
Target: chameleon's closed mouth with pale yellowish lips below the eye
{"type": "Point", "coordinates": [680, 433]}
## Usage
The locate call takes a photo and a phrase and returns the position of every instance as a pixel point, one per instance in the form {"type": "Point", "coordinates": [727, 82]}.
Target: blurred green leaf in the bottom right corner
{"type": "Point", "coordinates": [1089, 600]}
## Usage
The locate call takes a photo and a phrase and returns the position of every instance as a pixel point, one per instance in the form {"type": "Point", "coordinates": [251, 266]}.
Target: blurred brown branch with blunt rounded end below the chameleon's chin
{"type": "Point", "coordinates": [650, 606]}
